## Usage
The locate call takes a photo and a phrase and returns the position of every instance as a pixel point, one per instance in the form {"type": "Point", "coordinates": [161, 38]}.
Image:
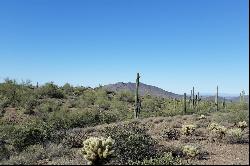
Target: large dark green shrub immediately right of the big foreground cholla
{"type": "Point", "coordinates": [132, 142]}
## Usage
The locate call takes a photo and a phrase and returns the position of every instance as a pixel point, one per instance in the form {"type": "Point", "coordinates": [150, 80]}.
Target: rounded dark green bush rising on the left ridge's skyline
{"type": "Point", "coordinates": [50, 90]}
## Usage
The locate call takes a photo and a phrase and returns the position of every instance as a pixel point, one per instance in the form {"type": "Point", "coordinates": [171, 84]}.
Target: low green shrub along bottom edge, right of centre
{"type": "Point", "coordinates": [165, 159]}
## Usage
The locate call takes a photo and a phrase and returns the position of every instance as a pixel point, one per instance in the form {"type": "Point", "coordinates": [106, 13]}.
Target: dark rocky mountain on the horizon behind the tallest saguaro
{"type": "Point", "coordinates": [143, 89]}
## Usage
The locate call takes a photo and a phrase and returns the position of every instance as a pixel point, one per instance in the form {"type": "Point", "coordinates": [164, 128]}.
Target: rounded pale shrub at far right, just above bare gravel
{"type": "Point", "coordinates": [234, 135]}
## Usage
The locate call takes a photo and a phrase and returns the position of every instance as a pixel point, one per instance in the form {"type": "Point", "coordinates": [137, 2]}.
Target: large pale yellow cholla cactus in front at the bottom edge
{"type": "Point", "coordinates": [96, 150]}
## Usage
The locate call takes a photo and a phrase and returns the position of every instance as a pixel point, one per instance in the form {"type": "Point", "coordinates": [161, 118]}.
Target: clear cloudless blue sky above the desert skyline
{"type": "Point", "coordinates": [174, 44]}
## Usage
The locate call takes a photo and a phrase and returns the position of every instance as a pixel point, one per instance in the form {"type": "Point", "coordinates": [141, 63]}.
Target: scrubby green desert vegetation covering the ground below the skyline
{"type": "Point", "coordinates": [48, 124]}
